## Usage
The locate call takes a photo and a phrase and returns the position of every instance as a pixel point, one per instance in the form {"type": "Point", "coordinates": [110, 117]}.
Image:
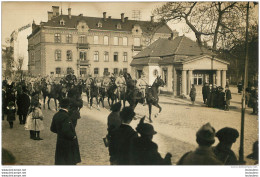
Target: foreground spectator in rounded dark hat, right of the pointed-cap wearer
{"type": "Point", "coordinates": [227, 136]}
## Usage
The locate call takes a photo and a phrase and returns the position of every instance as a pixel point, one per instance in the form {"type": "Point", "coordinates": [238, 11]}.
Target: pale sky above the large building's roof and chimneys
{"type": "Point", "coordinates": [18, 14]}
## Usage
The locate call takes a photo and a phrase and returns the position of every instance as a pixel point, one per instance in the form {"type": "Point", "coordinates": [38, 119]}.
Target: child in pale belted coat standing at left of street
{"type": "Point", "coordinates": [34, 121]}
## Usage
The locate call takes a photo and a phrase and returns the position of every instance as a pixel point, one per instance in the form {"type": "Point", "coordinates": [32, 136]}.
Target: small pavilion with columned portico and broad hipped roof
{"type": "Point", "coordinates": [181, 63]}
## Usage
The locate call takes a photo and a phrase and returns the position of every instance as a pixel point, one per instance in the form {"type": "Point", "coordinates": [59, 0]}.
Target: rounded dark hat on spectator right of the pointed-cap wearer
{"type": "Point", "coordinates": [227, 135]}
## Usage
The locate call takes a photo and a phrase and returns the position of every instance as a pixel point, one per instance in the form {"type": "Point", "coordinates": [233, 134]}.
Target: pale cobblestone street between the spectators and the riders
{"type": "Point", "coordinates": [176, 127]}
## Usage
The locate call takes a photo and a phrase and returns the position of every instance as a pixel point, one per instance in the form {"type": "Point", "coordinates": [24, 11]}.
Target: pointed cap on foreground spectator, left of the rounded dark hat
{"type": "Point", "coordinates": [206, 133]}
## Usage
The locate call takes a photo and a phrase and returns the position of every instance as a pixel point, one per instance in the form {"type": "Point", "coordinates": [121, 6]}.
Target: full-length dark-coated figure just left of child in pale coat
{"type": "Point", "coordinates": [23, 104]}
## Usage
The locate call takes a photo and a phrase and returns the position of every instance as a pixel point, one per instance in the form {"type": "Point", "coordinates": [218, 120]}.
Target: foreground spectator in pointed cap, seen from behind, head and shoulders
{"type": "Point", "coordinates": [203, 155]}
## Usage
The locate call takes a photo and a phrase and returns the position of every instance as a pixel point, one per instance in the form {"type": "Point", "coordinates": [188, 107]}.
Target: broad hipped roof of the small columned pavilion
{"type": "Point", "coordinates": [180, 45]}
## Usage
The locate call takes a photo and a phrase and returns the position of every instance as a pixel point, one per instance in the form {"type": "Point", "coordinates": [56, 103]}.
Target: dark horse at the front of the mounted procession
{"type": "Point", "coordinates": [133, 96]}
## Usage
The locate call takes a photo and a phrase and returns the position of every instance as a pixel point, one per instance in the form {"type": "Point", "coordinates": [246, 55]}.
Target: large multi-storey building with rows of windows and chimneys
{"type": "Point", "coordinates": [88, 45]}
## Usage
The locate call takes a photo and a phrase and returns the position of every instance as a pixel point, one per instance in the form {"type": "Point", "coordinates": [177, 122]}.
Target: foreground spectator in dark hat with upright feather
{"type": "Point", "coordinates": [144, 150]}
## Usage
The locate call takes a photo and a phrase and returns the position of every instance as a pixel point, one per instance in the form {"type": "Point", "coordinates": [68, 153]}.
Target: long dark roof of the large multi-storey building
{"type": "Point", "coordinates": [109, 24]}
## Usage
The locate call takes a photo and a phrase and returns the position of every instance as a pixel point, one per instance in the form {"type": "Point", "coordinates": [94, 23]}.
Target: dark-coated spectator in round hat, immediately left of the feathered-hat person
{"type": "Point", "coordinates": [121, 139]}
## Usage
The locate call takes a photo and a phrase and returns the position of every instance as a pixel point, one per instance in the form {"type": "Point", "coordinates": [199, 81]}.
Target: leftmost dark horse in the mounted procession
{"type": "Point", "coordinates": [55, 93]}
